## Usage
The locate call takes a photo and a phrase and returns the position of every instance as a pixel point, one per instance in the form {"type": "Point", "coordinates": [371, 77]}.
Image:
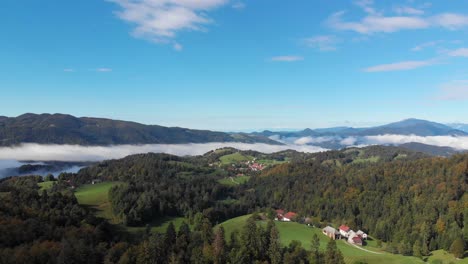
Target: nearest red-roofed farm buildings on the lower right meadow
{"type": "Point", "coordinates": [343, 232]}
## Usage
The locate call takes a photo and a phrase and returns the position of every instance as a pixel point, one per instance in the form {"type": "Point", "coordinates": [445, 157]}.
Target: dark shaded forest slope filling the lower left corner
{"type": "Point", "coordinates": [49, 227]}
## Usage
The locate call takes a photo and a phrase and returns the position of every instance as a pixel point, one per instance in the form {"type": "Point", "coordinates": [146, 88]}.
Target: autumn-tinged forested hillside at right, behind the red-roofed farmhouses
{"type": "Point", "coordinates": [416, 206]}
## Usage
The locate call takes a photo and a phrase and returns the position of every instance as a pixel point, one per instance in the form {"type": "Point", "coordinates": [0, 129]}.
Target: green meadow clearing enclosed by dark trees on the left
{"type": "Point", "coordinates": [96, 197]}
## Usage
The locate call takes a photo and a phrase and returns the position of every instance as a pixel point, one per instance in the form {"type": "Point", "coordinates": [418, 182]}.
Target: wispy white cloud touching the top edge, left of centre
{"type": "Point", "coordinates": [161, 20]}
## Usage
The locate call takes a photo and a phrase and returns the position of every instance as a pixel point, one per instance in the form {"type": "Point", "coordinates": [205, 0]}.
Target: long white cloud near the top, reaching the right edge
{"type": "Point", "coordinates": [376, 23]}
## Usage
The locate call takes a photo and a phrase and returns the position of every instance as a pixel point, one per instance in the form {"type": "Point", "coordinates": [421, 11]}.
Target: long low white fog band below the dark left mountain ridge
{"type": "Point", "coordinates": [40, 152]}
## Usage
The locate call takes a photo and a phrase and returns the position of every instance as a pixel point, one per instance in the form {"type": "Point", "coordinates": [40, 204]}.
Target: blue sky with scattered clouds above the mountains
{"type": "Point", "coordinates": [236, 65]}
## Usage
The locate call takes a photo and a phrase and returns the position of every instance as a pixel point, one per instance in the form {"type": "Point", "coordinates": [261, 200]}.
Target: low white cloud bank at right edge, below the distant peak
{"type": "Point", "coordinates": [460, 143]}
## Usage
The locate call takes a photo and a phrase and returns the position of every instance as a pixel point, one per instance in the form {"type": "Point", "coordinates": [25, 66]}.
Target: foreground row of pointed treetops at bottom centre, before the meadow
{"type": "Point", "coordinates": [202, 245]}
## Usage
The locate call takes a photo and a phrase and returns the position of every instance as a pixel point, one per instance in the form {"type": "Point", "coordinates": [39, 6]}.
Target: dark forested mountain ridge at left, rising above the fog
{"type": "Point", "coordinates": [67, 129]}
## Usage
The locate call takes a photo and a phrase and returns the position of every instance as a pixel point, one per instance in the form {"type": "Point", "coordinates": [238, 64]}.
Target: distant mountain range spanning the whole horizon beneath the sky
{"type": "Point", "coordinates": [67, 129]}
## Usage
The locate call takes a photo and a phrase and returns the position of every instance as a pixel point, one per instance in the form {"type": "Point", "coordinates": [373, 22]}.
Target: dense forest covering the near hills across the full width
{"type": "Point", "coordinates": [411, 202]}
